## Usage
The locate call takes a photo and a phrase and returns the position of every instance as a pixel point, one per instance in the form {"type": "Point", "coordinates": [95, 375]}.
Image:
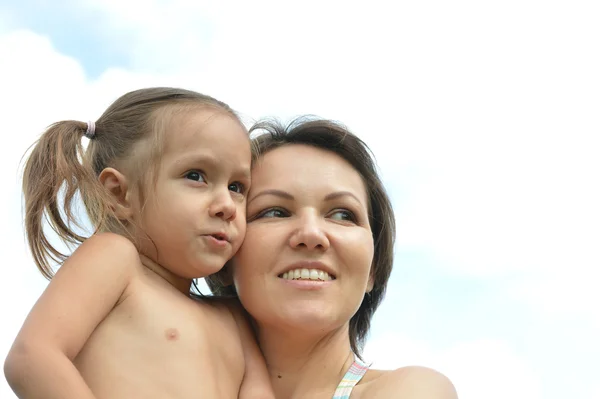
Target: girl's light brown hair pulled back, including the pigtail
{"type": "Point", "coordinates": [59, 168]}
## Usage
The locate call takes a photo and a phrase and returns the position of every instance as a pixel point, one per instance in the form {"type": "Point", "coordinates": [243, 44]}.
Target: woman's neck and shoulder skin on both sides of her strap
{"type": "Point", "coordinates": [304, 366]}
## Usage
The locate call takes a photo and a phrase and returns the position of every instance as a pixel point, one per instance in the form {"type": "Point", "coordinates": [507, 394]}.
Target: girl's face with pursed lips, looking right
{"type": "Point", "coordinates": [196, 214]}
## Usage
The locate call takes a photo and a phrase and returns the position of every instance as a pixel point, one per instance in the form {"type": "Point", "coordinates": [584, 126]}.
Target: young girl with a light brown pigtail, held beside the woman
{"type": "Point", "coordinates": [164, 182]}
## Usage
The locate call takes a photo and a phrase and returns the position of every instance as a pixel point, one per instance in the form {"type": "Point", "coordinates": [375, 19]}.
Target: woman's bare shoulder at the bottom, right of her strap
{"type": "Point", "coordinates": [411, 382]}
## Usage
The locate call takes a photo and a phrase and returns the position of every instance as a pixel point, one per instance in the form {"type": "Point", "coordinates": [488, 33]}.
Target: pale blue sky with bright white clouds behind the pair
{"type": "Point", "coordinates": [483, 117]}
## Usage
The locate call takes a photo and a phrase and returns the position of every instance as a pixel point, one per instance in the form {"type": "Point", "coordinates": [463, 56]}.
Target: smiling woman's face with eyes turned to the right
{"type": "Point", "coordinates": [306, 259]}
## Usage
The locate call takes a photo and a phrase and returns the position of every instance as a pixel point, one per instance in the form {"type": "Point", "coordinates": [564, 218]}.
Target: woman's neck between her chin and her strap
{"type": "Point", "coordinates": [302, 365]}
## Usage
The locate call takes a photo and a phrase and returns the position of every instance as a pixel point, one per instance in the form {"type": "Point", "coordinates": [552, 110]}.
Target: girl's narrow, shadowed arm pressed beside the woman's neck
{"type": "Point", "coordinates": [256, 383]}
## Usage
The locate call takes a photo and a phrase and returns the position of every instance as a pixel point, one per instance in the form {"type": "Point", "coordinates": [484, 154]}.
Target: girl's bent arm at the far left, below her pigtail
{"type": "Point", "coordinates": [83, 291]}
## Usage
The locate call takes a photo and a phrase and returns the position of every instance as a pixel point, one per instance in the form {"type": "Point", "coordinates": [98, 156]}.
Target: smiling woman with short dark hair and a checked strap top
{"type": "Point", "coordinates": [315, 265]}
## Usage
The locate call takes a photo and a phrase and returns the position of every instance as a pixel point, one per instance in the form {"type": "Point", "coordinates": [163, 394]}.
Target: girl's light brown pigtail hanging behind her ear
{"type": "Point", "coordinates": [54, 169]}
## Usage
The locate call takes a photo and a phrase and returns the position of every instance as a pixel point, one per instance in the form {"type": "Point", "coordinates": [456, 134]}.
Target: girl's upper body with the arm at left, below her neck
{"type": "Point", "coordinates": [149, 344]}
